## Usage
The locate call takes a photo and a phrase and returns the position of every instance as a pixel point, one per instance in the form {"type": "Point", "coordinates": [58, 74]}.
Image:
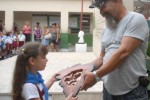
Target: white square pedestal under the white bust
{"type": "Point", "coordinates": [79, 47]}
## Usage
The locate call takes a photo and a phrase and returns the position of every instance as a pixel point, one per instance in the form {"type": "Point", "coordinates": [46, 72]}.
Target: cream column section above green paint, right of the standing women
{"type": "Point", "coordinates": [64, 21]}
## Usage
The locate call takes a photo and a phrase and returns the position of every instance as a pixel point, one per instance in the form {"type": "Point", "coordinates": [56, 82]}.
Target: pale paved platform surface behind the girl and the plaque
{"type": "Point", "coordinates": [56, 62]}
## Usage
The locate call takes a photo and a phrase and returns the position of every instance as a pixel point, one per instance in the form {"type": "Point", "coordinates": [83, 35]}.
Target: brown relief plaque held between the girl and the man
{"type": "Point", "coordinates": [71, 78]}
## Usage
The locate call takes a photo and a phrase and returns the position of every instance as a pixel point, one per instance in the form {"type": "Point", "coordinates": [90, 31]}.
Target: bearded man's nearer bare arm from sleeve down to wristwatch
{"type": "Point", "coordinates": [128, 45]}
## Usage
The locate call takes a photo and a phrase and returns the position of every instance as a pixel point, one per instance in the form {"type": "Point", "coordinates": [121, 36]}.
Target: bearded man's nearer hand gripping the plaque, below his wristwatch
{"type": "Point", "coordinates": [89, 80]}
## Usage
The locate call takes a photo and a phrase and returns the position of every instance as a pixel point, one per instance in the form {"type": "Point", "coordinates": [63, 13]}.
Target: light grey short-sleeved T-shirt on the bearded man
{"type": "Point", "coordinates": [125, 77]}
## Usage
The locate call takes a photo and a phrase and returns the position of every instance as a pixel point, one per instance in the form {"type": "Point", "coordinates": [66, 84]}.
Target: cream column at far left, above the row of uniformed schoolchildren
{"type": "Point", "coordinates": [9, 20]}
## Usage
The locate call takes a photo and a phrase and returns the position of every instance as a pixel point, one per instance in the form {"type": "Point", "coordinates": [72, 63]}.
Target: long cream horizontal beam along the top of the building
{"type": "Point", "coordinates": [44, 5]}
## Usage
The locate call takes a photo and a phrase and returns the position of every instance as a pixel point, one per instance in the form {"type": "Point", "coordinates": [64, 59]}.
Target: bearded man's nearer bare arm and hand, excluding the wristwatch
{"type": "Point", "coordinates": [128, 45]}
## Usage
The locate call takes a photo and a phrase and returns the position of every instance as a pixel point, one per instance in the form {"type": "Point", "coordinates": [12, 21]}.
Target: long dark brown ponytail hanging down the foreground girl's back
{"type": "Point", "coordinates": [19, 76]}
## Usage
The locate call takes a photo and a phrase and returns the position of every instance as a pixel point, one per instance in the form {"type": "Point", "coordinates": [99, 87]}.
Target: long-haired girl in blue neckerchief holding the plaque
{"type": "Point", "coordinates": [27, 81]}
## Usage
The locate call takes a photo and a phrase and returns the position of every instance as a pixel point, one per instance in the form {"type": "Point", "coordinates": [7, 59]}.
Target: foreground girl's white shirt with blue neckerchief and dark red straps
{"type": "Point", "coordinates": [34, 87]}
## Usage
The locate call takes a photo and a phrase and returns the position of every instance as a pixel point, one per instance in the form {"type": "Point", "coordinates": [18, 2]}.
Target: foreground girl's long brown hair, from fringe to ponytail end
{"type": "Point", "coordinates": [30, 49]}
